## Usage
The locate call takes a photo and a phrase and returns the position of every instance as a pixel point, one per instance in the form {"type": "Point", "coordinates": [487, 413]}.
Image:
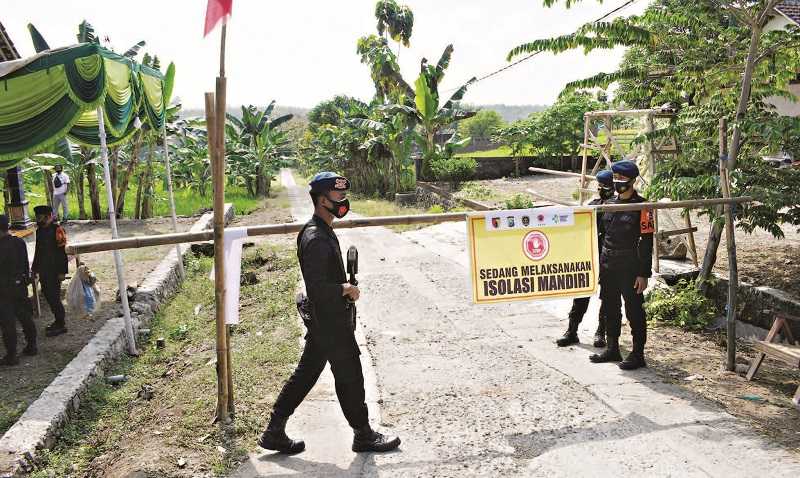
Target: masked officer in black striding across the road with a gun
{"type": "Point", "coordinates": [331, 334]}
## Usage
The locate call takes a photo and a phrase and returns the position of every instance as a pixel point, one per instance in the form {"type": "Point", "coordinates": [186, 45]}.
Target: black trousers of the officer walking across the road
{"type": "Point", "coordinates": [347, 374]}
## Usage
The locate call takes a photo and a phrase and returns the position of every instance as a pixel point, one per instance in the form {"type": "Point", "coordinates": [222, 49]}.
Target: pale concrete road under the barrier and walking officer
{"type": "Point", "coordinates": [483, 391]}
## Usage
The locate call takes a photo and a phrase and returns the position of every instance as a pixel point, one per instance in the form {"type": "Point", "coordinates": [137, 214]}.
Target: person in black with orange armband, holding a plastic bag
{"type": "Point", "coordinates": [50, 265]}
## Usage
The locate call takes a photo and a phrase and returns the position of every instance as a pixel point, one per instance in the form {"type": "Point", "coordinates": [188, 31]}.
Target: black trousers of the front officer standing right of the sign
{"type": "Point", "coordinates": [617, 278]}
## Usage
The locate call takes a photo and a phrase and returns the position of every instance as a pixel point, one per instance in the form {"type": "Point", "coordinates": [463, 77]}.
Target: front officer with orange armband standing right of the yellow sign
{"type": "Point", "coordinates": [625, 265]}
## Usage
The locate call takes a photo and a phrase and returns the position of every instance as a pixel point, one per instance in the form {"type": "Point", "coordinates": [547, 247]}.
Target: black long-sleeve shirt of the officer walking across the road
{"type": "Point", "coordinates": [324, 273]}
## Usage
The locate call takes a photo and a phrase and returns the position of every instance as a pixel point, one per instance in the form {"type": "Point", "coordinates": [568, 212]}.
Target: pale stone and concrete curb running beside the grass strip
{"type": "Point", "coordinates": [44, 419]}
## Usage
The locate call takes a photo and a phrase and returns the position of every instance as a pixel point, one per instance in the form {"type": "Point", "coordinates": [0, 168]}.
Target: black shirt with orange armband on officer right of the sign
{"type": "Point", "coordinates": [629, 235]}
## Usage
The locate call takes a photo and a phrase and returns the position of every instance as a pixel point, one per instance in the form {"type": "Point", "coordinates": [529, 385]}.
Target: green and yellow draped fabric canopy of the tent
{"type": "Point", "coordinates": [56, 94]}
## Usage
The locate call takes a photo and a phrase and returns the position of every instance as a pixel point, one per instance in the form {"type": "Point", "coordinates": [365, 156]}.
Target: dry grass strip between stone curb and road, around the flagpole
{"type": "Point", "coordinates": [118, 427]}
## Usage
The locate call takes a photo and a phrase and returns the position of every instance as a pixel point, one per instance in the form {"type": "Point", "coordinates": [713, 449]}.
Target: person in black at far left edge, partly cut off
{"type": "Point", "coordinates": [14, 303]}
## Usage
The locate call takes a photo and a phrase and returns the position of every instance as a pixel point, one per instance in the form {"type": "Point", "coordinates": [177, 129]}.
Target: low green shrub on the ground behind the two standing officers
{"type": "Point", "coordinates": [684, 306]}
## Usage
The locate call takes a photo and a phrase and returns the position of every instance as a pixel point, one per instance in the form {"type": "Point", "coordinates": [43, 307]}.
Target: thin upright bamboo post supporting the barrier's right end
{"type": "Point", "coordinates": [730, 239]}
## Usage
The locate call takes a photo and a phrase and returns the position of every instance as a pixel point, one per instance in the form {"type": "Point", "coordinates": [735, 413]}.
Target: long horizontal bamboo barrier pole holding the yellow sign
{"type": "Point", "coordinates": [290, 228]}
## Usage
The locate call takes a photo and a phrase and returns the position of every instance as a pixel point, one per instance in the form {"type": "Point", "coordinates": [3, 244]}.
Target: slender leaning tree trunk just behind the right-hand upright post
{"type": "Point", "coordinates": [715, 235]}
